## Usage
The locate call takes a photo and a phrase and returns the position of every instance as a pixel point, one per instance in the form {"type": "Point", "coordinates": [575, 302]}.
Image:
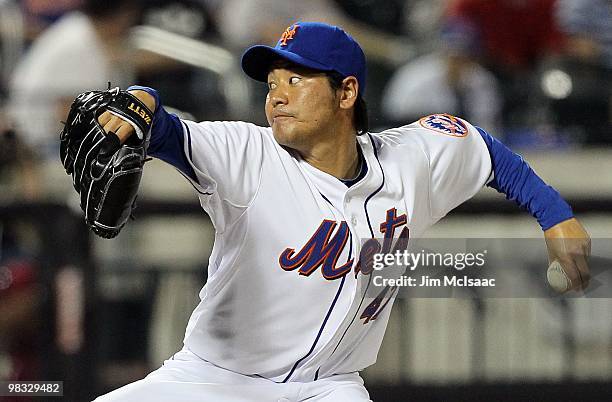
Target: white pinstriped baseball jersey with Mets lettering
{"type": "Point", "coordinates": [282, 299]}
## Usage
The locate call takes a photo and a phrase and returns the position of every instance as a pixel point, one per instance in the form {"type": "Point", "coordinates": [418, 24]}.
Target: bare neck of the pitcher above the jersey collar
{"type": "Point", "coordinates": [338, 158]}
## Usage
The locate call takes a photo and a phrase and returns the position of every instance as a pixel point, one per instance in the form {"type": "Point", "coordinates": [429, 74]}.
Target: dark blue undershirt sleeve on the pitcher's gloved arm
{"type": "Point", "coordinates": [167, 138]}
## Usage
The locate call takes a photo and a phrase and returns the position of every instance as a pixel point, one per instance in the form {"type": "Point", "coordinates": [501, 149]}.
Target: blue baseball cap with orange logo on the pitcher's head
{"type": "Point", "coordinates": [310, 44]}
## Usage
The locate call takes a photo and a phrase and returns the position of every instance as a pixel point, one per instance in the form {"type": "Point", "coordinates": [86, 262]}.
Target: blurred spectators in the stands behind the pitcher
{"type": "Point", "coordinates": [535, 73]}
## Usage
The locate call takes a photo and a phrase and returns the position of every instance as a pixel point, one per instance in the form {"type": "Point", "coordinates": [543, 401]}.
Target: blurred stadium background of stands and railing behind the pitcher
{"type": "Point", "coordinates": [98, 314]}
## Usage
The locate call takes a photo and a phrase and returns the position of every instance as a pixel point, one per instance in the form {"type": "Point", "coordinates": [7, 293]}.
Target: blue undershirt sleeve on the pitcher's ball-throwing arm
{"type": "Point", "coordinates": [517, 180]}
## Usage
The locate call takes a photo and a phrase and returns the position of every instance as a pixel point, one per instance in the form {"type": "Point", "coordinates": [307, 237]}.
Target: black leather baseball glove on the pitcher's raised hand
{"type": "Point", "coordinates": [105, 173]}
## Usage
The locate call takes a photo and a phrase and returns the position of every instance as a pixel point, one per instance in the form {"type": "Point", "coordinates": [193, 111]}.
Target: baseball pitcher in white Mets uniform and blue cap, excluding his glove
{"type": "Point", "coordinates": [284, 315]}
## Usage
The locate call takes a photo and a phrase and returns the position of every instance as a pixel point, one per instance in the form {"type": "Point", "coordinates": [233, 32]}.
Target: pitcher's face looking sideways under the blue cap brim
{"type": "Point", "coordinates": [301, 106]}
